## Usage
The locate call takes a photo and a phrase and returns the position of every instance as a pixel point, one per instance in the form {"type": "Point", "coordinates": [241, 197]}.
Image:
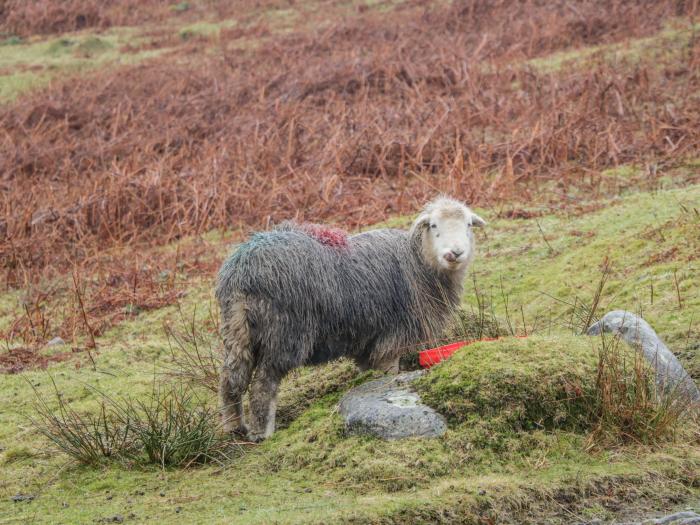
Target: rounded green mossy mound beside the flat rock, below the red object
{"type": "Point", "coordinates": [538, 383]}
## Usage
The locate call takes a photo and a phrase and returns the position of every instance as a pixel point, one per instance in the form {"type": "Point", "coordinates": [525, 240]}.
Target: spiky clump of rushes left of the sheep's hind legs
{"type": "Point", "coordinates": [172, 427]}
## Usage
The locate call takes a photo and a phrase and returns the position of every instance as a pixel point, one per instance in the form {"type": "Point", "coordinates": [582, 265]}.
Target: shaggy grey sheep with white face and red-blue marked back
{"type": "Point", "coordinates": [304, 294]}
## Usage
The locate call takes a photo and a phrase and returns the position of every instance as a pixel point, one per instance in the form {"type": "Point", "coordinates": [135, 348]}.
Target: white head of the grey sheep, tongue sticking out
{"type": "Point", "coordinates": [448, 240]}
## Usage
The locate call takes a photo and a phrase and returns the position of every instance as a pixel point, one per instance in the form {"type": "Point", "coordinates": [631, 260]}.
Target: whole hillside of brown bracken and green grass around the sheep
{"type": "Point", "coordinates": [142, 140]}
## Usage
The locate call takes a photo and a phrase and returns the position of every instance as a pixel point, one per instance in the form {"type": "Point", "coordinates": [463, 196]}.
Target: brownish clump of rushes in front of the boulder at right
{"type": "Point", "coordinates": [629, 406]}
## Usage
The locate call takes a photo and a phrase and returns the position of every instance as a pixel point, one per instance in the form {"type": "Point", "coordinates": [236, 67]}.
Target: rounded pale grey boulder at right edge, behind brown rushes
{"type": "Point", "coordinates": [670, 374]}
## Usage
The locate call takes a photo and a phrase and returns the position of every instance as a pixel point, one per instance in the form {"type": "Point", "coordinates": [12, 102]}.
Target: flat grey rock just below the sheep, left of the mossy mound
{"type": "Point", "coordinates": [389, 408]}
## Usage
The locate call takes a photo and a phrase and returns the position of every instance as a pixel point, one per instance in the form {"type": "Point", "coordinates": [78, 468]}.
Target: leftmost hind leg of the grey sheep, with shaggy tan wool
{"type": "Point", "coordinates": [236, 371]}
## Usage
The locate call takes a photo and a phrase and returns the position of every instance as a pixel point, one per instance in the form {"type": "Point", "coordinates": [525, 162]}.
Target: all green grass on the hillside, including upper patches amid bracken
{"type": "Point", "coordinates": [522, 413]}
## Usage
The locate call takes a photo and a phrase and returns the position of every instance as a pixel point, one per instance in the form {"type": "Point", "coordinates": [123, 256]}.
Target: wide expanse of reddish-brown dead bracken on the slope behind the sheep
{"type": "Point", "coordinates": [350, 123]}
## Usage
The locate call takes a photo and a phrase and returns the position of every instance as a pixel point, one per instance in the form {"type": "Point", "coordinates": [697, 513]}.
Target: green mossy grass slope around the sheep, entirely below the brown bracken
{"type": "Point", "coordinates": [497, 460]}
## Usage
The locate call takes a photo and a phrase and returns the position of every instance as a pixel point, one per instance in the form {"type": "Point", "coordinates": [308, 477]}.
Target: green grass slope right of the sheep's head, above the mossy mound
{"type": "Point", "coordinates": [645, 238]}
